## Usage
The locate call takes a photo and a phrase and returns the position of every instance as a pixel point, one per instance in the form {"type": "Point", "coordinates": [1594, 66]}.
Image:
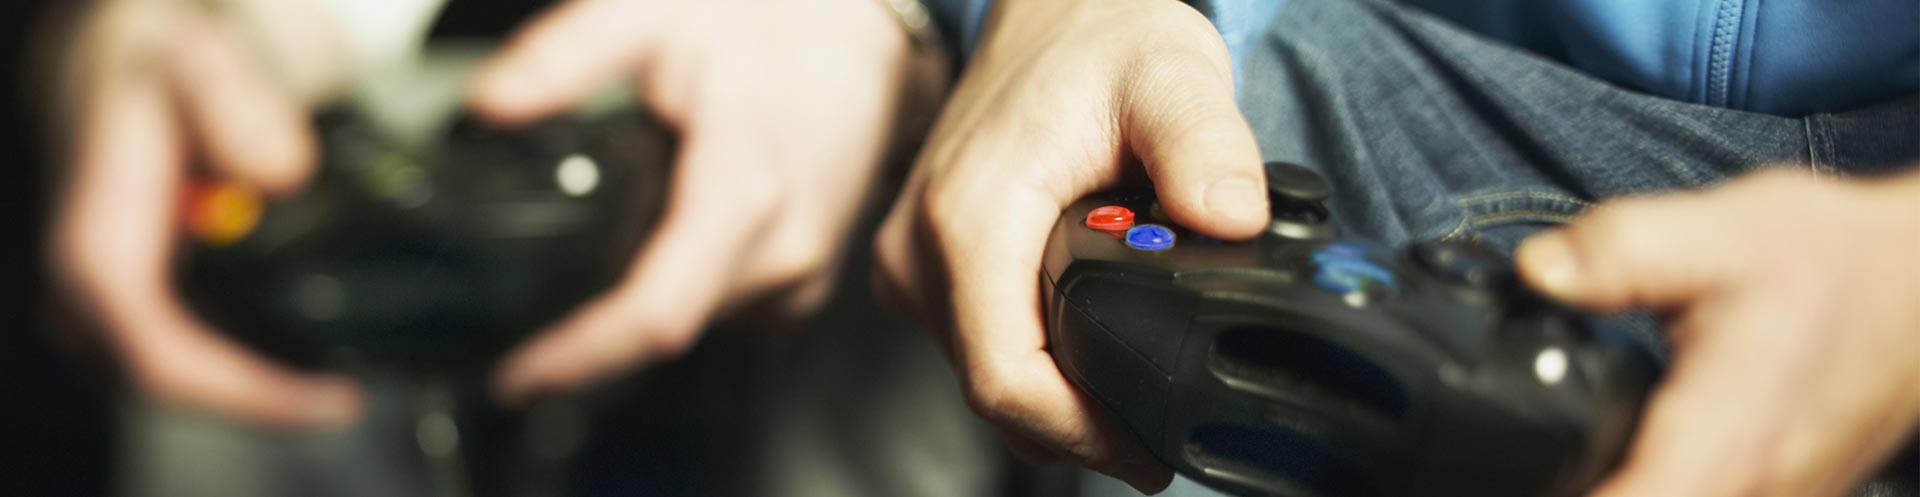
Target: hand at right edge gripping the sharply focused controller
{"type": "Point", "coordinates": [1792, 321]}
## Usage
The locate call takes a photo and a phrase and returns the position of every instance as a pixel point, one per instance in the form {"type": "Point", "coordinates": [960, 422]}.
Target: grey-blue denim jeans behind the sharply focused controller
{"type": "Point", "coordinates": [1431, 131]}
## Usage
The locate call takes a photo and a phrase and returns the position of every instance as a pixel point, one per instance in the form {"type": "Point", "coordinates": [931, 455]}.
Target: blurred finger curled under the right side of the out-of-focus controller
{"type": "Point", "coordinates": [719, 204]}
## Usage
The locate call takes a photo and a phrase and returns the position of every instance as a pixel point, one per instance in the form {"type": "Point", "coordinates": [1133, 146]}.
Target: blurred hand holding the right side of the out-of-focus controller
{"type": "Point", "coordinates": [784, 112]}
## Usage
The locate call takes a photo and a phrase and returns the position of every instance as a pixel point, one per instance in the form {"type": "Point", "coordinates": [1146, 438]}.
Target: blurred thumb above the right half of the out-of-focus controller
{"type": "Point", "coordinates": [565, 57]}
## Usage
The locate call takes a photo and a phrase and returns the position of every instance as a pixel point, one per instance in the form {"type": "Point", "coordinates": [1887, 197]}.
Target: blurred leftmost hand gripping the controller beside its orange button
{"type": "Point", "coordinates": [153, 89]}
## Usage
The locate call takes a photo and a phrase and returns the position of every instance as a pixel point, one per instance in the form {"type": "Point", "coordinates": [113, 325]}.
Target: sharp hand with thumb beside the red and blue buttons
{"type": "Point", "coordinates": [1063, 99]}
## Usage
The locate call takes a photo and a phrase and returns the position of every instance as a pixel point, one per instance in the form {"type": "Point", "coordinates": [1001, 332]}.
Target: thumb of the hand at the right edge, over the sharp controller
{"type": "Point", "coordinates": [1646, 252]}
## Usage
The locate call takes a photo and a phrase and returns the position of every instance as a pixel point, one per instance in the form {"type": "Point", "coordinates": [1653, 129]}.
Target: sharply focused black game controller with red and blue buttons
{"type": "Point", "coordinates": [1312, 366]}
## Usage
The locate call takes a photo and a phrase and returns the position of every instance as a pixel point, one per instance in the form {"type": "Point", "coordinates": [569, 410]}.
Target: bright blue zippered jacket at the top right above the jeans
{"type": "Point", "coordinates": [1775, 57]}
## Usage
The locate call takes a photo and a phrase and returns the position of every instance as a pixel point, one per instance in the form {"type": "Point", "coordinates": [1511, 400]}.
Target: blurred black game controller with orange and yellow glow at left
{"type": "Point", "coordinates": [437, 254]}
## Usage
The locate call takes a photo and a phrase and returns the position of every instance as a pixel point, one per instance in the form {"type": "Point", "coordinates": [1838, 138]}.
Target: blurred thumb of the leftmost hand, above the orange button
{"type": "Point", "coordinates": [247, 130]}
